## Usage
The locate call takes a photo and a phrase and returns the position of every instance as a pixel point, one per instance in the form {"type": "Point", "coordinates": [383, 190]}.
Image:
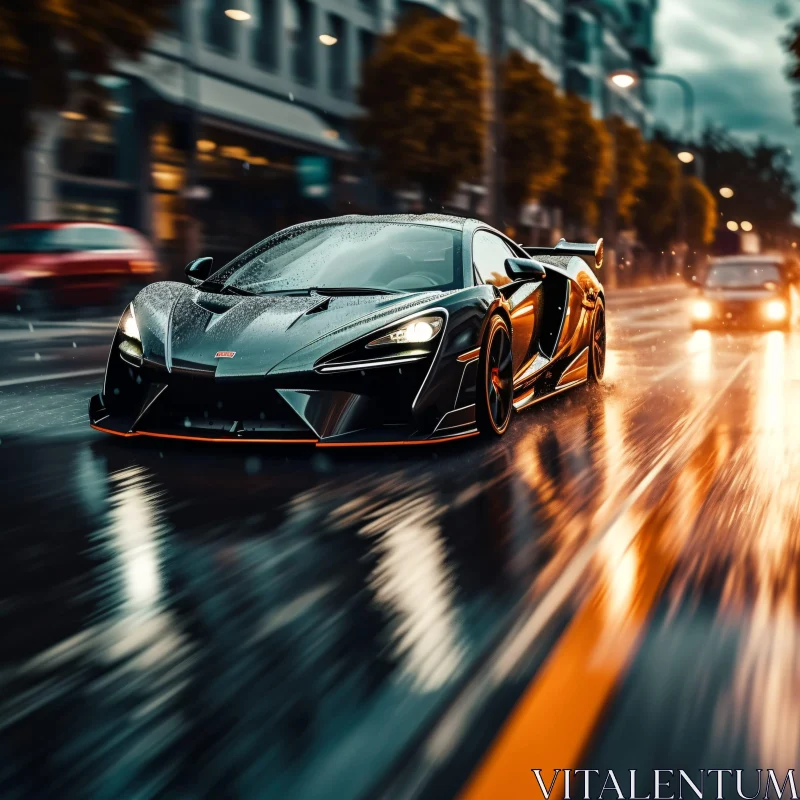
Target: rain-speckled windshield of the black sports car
{"type": "Point", "coordinates": [368, 255]}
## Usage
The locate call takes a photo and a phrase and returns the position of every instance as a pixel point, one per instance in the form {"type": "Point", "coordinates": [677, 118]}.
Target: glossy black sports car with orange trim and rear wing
{"type": "Point", "coordinates": [357, 330]}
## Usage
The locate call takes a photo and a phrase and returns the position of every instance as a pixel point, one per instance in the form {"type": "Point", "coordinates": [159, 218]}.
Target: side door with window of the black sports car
{"type": "Point", "coordinates": [489, 254]}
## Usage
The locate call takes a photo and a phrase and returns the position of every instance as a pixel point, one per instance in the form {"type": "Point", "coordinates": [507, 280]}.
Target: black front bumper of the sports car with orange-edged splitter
{"type": "Point", "coordinates": [334, 410]}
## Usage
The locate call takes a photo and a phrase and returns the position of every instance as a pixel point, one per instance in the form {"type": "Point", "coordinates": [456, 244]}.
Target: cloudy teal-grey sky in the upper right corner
{"type": "Point", "coordinates": [730, 51]}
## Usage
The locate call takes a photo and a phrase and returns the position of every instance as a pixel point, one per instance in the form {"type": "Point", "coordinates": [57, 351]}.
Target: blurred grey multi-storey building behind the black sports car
{"type": "Point", "coordinates": [270, 99]}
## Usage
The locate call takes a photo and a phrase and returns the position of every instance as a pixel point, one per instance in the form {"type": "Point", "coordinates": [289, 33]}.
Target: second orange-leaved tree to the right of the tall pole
{"type": "Point", "coordinates": [587, 164]}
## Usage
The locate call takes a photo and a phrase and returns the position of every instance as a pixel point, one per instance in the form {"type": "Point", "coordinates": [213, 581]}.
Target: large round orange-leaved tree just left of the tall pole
{"type": "Point", "coordinates": [423, 92]}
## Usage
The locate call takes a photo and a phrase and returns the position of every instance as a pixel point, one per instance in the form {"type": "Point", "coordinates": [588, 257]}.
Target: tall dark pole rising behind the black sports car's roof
{"type": "Point", "coordinates": [494, 139]}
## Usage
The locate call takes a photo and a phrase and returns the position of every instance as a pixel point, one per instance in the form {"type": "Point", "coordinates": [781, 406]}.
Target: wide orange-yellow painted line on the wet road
{"type": "Point", "coordinates": [552, 725]}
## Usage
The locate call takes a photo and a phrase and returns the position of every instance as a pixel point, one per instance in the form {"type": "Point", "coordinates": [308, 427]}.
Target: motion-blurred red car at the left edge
{"type": "Point", "coordinates": [49, 264]}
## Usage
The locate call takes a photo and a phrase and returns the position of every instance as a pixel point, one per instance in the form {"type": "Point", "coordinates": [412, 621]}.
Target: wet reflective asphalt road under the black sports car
{"type": "Point", "coordinates": [614, 584]}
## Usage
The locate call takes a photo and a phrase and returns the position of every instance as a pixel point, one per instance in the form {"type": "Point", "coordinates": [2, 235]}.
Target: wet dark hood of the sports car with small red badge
{"type": "Point", "coordinates": [184, 328]}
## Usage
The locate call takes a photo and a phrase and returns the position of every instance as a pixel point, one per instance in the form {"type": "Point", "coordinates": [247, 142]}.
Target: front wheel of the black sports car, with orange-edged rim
{"type": "Point", "coordinates": [495, 390]}
